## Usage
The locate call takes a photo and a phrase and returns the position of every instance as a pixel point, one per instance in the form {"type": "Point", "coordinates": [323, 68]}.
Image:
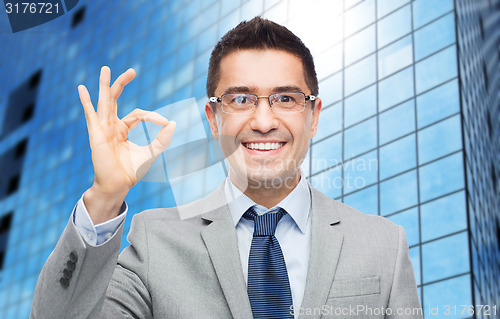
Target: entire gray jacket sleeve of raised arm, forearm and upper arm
{"type": "Point", "coordinates": [84, 281]}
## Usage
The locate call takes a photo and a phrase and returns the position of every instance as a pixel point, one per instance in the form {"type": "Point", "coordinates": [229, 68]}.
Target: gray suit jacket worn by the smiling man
{"type": "Point", "coordinates": [358, 268]}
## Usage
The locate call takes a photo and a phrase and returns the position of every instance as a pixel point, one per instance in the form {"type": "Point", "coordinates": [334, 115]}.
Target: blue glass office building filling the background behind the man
{"type": "Point", "coordinates": [409, 128]}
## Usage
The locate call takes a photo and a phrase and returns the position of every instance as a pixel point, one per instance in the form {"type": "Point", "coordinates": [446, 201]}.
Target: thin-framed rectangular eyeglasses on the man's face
{"type": "Point", "coordinates": [290, 102]}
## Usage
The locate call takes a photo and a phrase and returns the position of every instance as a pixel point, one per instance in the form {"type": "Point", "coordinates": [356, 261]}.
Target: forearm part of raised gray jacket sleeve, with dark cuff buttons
{"type": "Point", "coordinates": [74, 279]}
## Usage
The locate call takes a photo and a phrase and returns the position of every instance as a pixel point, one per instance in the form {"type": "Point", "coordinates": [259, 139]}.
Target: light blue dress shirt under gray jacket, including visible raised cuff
{"type": "Point", "coordinates": [293, 230]}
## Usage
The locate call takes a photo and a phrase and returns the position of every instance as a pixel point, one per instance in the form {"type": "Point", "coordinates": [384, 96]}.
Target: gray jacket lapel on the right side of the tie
{"type": "Point", "coordinates": [326, 243]}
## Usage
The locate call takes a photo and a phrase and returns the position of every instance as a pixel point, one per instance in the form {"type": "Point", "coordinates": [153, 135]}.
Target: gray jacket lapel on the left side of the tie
{"type": "Point", "coordinates": [221, 242]}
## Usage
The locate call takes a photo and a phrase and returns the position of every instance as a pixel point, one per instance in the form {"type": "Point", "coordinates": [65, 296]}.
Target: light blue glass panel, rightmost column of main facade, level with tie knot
{"type": "Point", "coordinates": [443, 216]}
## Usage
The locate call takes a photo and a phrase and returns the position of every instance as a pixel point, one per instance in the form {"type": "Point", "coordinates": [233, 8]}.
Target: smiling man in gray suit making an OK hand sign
{"type": "Point", "coordinates": [275, 248]}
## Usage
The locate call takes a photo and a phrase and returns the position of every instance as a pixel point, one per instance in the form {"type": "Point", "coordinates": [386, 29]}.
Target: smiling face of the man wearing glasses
{"type": "Point", "coordinates": [263, 72]}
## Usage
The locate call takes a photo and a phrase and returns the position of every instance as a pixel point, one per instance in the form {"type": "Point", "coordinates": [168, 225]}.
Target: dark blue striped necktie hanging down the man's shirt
{"type": "Point", "coordinates": [268, 286]}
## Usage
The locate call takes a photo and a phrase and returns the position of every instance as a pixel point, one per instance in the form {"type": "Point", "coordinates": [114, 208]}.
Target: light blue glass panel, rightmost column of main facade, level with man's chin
{"type": "Point", "coordinates": [441, 177]}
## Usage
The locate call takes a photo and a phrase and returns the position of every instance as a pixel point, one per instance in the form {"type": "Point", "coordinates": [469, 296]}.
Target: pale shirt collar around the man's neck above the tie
{"type": "Point", "coordinates": [297, 204]}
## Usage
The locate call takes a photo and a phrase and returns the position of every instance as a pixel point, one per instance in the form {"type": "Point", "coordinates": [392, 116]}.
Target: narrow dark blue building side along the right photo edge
{"type": "Point", "coordinates": [478, 34]}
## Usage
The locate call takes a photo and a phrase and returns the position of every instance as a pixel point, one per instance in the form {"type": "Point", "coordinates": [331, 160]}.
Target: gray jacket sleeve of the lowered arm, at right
{"type": "Point", "coordinates": [404, 301]}
